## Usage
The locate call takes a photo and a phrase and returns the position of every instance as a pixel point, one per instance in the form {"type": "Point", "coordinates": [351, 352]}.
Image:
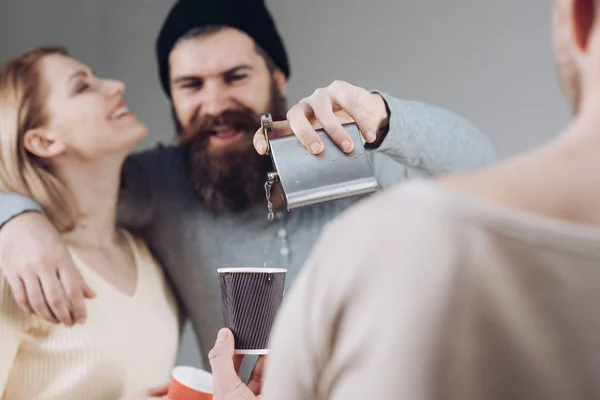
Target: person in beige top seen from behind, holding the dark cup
{"type": "Point", "coordinates": [478, 286]}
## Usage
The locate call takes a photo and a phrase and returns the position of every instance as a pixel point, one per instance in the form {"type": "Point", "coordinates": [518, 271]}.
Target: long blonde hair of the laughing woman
{"type": "Point", "coordinates": [23, 95]}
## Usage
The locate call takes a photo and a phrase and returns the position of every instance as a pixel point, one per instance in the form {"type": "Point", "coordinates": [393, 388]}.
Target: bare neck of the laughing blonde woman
{"type": "Point", "coordinates": [94, 189]}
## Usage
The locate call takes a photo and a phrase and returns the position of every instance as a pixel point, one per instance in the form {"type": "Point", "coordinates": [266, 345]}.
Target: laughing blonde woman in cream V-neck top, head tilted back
{"type": "Point", "coordinates": [64, 135]}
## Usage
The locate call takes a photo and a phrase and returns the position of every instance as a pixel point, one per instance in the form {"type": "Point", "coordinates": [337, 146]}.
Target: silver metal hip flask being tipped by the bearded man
{"type": "Point", "coordinates": [307, 179]}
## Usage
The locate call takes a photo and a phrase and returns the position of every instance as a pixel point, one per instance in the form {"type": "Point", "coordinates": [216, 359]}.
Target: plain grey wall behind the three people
{"type": "Point", "coordinates": [488, 60]}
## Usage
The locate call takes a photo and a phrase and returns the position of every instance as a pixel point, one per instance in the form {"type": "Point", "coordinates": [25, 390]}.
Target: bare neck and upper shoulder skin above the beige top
{"type": "Point", "coordinates": [557, 180]}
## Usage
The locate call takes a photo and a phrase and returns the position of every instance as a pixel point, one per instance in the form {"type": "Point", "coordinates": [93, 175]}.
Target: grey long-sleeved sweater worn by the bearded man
{"type": "Point", "coordinates": [160, 205]}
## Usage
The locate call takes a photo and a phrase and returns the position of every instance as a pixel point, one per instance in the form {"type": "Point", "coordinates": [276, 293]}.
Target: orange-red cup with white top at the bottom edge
{"type": "Point", "coordinates": [189, 383]}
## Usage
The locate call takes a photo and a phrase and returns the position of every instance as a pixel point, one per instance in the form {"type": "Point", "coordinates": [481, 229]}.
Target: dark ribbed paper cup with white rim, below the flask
{"type": "Point", "coordinates": [251, 298]}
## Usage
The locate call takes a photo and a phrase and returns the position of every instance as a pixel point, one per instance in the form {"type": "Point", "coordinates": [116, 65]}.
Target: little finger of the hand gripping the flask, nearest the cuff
{"type": "Point", "coordinates": [356, 102]}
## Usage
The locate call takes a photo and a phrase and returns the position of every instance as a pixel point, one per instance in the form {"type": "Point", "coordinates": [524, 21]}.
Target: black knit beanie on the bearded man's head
{"type": "Point", "coordinates": [249, 16]}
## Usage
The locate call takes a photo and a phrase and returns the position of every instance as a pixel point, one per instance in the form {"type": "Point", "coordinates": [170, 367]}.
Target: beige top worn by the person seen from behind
{"type": "Point", "coordinates": [473, 301]}
